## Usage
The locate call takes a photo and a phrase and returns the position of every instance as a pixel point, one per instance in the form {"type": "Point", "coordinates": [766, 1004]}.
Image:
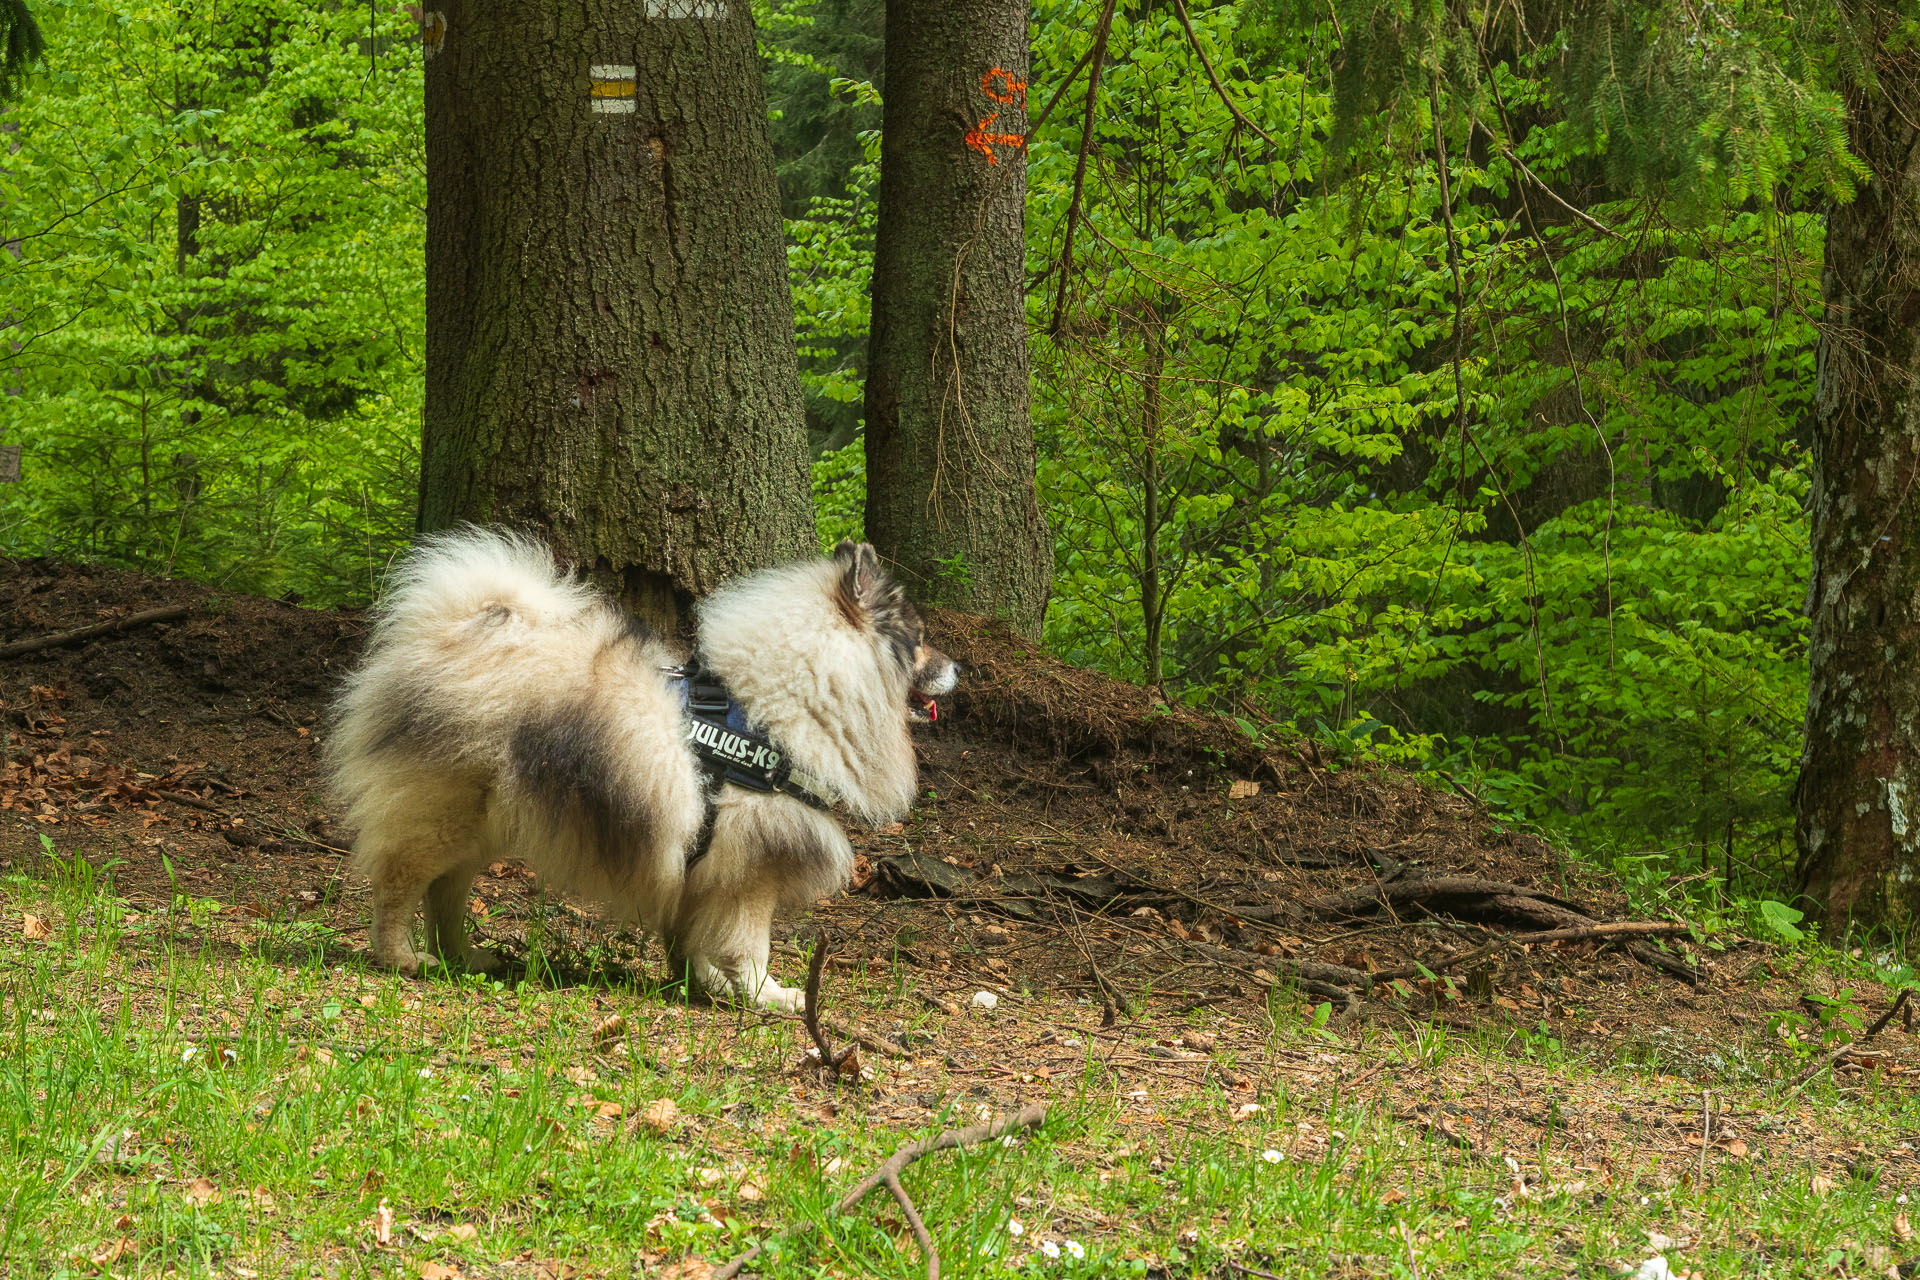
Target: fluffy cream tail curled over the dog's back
{"type": "Point", "coordinates": [475, 575]}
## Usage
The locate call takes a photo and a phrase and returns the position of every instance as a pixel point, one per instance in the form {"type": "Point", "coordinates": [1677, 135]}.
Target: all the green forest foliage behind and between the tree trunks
{"type": "Point", "coordinates": [1443, 396]}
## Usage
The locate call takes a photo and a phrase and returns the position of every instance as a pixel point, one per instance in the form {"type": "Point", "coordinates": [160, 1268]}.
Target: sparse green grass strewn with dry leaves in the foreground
{"type": "Point", "coordinates": [187, 1091]}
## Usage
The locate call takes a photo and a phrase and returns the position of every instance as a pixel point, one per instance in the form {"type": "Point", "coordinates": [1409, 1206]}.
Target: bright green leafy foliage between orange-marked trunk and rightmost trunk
{"type": "Point", "coordinates": [1566, 567]}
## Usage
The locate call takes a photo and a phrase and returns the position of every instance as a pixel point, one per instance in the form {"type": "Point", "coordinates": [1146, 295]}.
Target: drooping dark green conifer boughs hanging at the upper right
{"type": "Point", "coordinates": [1710, 105]}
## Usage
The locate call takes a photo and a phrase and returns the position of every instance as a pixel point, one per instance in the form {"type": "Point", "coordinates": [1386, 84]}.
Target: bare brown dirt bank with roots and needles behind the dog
{"type": "Point", "coordinates": [1076, 838]}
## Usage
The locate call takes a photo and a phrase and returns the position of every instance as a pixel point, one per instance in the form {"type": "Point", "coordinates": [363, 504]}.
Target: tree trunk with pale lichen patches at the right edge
{"type": "Point", "coordinates": [1860, 788]}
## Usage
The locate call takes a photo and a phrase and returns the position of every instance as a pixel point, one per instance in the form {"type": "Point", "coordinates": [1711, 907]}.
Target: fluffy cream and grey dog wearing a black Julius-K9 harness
{"type": "Point", "coordinates": [504, 711]}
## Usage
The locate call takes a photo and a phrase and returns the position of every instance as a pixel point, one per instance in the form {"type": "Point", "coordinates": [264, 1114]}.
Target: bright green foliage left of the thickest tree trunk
{"type": "Point", "coordinates": [222, 291]}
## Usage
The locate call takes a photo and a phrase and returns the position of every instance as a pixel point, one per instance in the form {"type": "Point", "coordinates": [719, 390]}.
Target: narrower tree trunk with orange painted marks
{"type": "Point", "coordinates": [949, 440]}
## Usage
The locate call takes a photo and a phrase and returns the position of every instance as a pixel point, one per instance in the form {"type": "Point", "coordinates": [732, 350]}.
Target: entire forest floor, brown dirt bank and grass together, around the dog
{"type": "Point", "coordinates": [1289, 1018]}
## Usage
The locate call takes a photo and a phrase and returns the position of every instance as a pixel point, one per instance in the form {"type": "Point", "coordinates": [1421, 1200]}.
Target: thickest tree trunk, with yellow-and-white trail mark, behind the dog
{"type": "Point", "coordinates": [610, 331]}
